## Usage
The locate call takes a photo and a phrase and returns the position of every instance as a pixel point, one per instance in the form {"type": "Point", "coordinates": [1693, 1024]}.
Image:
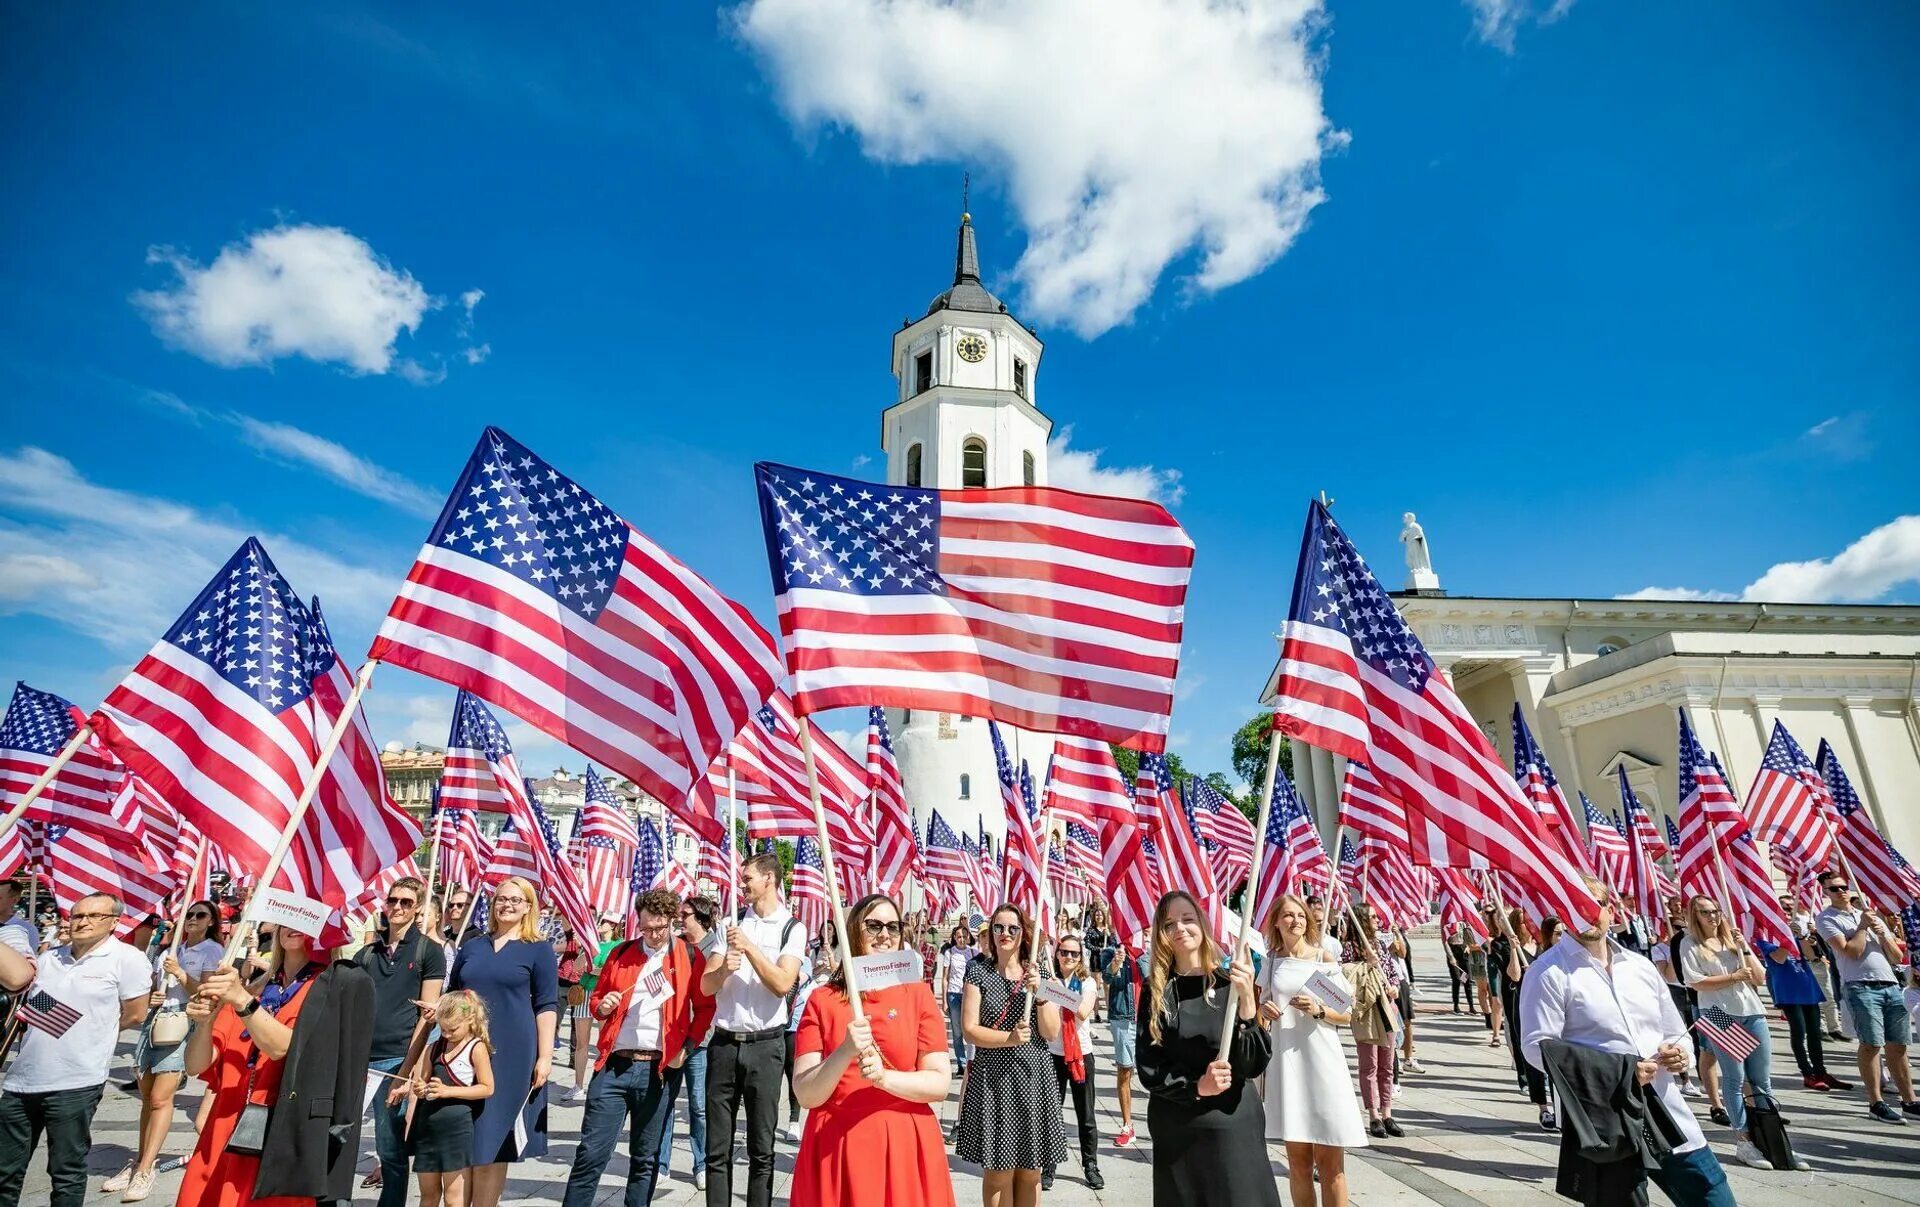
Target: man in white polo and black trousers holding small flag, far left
{"type": "Point", "coordinates": [84, 995]}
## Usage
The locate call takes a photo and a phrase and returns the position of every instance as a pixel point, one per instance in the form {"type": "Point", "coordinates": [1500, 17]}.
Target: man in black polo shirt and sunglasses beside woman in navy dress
{"type": "Point", "coordinates": [406, 968]}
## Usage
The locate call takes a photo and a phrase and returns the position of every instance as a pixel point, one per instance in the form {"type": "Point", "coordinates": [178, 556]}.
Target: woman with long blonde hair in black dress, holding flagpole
{"type": "Point", "coordinates": [1211, 1147]}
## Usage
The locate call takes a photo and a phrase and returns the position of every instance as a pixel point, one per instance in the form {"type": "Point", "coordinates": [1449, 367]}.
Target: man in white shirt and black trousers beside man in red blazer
{"type": "Point", "coordinates": [750, 980]}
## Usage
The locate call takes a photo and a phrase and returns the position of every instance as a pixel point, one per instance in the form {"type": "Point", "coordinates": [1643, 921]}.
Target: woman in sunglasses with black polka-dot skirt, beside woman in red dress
{"type": "Point", "coordinates": [1011, 1108]}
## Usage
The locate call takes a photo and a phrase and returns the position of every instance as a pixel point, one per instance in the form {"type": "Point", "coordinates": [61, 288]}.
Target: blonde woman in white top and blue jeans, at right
{"type": "Point", "coordinates": [1723, 974]}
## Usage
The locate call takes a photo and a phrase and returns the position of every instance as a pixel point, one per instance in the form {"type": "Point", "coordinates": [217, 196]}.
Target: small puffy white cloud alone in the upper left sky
{"type": "Point", "coordinates": [310, 293]}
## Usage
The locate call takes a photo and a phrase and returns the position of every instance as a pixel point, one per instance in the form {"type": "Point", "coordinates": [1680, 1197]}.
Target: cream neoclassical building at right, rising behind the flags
{"type": "Point", "coordinates": [1602, 680]}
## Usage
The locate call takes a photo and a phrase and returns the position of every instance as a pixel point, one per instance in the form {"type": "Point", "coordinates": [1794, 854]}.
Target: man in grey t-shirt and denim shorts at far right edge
{"type": "Point", "coordinates": [1865, 953]}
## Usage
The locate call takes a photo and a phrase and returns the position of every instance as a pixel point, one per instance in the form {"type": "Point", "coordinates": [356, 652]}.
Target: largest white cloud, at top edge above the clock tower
{"type": "Point", "coordinates": [1132, 133]}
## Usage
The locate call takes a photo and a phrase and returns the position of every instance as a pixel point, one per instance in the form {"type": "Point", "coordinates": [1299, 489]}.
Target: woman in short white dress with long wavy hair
{"type": "Point", "coordinates": [1310, 1095]}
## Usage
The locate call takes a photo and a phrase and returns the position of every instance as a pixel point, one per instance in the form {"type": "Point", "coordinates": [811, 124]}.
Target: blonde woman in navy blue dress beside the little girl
{"type": "Point", "coordinates": [514, 970]}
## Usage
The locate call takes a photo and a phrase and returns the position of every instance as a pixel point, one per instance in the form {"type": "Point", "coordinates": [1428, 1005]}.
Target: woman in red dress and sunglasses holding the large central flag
{"type": "Point", "coordinates": [873, 1137]}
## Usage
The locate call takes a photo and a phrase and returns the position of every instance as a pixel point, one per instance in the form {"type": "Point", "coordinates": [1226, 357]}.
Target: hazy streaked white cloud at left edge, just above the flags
{"type": "Point", "coordinates": [120, 567]}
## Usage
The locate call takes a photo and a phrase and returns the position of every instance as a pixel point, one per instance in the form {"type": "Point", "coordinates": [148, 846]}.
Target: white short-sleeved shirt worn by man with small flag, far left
{"type": "Point", "coordinates": [95, 987]}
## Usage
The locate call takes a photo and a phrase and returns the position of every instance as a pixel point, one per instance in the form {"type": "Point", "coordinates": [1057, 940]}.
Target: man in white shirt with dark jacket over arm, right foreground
{"type": "Point", "coordinates": [1595, 993]}
